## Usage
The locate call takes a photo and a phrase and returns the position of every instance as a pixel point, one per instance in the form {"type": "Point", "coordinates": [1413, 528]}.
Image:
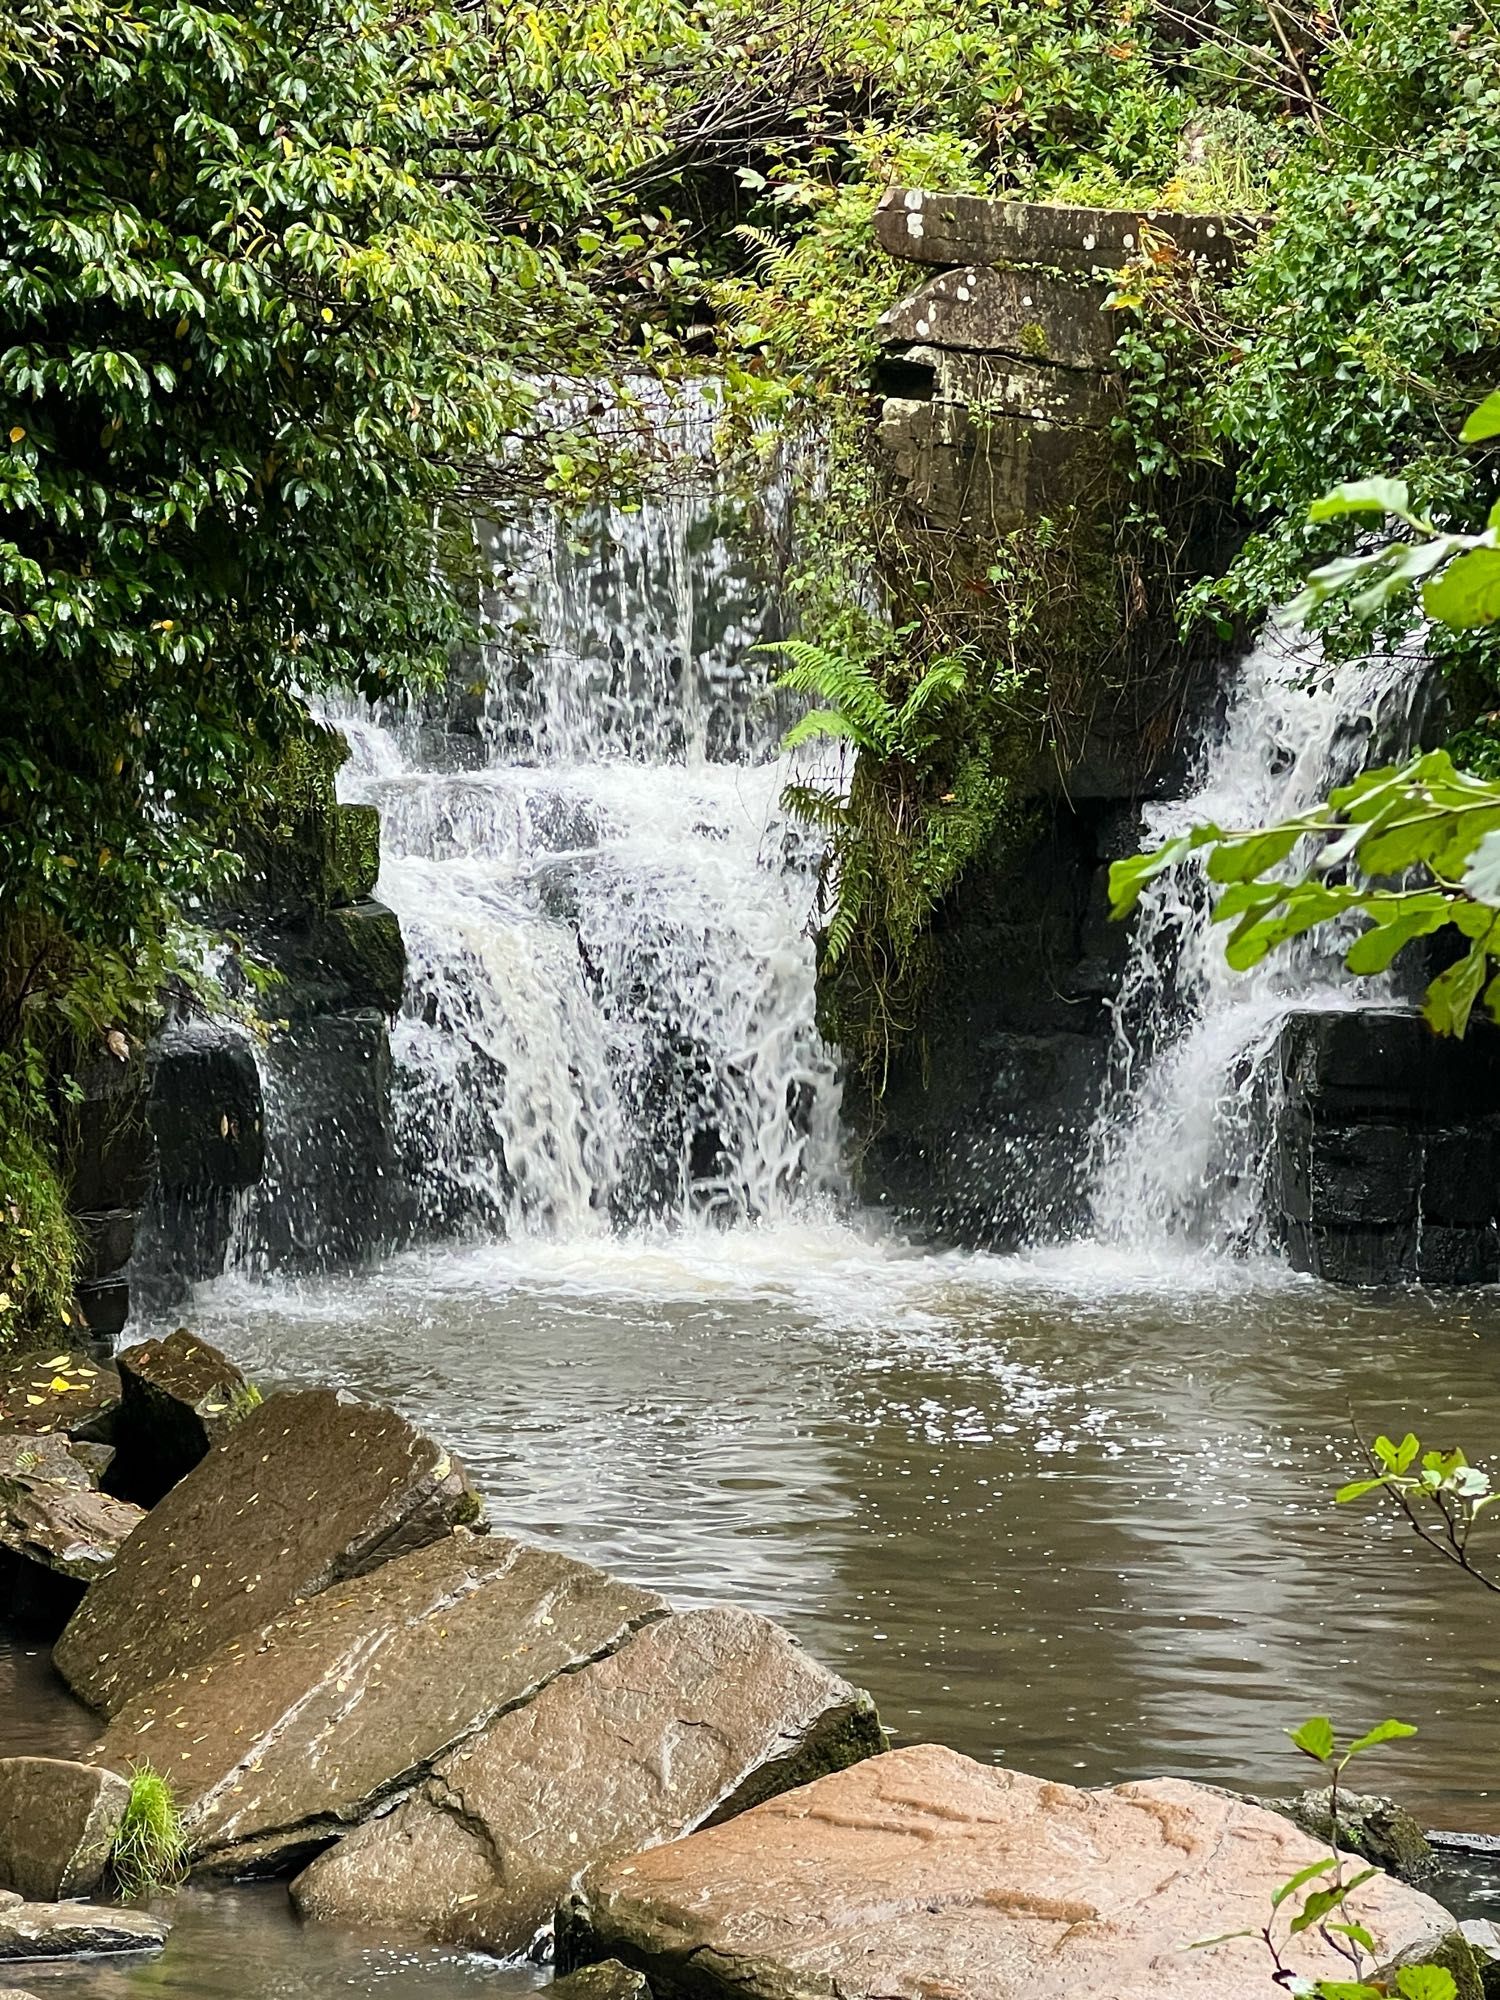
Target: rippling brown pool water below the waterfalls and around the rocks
{"type": "Point", "coordinates": [1071, 1511]}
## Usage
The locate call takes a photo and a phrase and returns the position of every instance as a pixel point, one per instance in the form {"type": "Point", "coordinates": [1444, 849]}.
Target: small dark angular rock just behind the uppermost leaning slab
{"type": "Point", "coordinates": [179, 1397]}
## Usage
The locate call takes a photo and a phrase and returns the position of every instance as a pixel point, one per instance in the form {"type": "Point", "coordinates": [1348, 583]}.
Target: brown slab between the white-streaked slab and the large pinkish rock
{"type": "Point", "coordinates": [693, 1721]}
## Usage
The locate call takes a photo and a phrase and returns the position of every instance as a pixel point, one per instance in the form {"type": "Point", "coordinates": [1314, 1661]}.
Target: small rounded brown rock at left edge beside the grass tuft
{"type": "Point", "coordinates": [57, 1827]}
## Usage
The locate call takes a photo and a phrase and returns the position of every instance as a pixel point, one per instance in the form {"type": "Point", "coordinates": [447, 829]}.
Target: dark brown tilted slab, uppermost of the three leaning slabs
{"type": "Point", "coordinates": [309, 1491]}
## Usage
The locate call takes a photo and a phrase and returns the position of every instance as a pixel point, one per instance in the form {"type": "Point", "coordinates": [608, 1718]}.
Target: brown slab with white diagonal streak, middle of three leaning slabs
{"type": "Point", "coordinates": [287, 1737]}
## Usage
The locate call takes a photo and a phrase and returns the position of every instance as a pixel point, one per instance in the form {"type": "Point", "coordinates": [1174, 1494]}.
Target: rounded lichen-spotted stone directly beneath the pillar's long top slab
{"type": "Point", "coordinates": [1031, 315]}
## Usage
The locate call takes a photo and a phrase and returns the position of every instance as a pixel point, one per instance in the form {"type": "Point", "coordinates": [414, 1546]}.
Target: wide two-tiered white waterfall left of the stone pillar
{"type": "Point", "coordinates": [611, 993]}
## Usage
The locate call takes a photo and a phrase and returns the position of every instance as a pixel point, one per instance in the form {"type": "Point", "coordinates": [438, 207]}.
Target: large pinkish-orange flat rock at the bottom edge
{"type": "Point", "coordinates": [923, 1873]}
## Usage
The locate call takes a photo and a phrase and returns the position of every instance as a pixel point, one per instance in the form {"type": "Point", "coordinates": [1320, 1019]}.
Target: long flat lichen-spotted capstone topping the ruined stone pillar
{"type": "Point", "coordinates": [969, 229]}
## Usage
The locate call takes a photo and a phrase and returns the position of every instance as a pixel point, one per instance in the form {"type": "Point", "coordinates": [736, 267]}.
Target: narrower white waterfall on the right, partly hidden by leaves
{"type": "Point", "coordinates": [1181, 1147]}
